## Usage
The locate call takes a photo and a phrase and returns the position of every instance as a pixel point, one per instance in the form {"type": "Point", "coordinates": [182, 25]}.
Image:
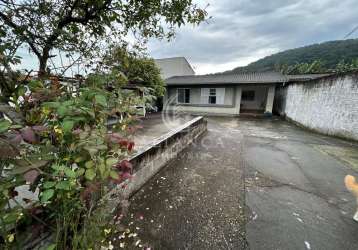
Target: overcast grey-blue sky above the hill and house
{"type": "Point", "coordinates": [242, 31]}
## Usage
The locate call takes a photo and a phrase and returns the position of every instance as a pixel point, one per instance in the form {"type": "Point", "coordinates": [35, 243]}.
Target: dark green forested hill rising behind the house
{"type": "Point", "coordinates": [329, 53]}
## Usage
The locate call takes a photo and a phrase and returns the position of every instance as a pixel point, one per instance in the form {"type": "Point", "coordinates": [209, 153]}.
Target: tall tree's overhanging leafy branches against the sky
{"type": "Point", "coordinates": [76, 25]}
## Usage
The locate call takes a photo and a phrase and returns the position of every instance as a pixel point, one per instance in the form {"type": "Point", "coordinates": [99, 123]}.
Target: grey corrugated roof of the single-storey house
{"type": "Point", "coordinates": [236, 78]}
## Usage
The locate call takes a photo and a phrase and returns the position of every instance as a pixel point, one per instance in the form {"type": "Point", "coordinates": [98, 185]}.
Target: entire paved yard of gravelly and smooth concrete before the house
{"type": "Point", "coordinates": [294, 198]}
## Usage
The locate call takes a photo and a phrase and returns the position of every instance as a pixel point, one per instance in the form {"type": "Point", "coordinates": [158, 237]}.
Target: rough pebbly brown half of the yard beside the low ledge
{"type": "Point", "coordinates": [197, 201]}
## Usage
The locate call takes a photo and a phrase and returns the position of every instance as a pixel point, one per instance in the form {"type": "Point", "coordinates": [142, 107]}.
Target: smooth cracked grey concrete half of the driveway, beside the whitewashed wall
{"type": "Point", "coordinates": [295, 194]}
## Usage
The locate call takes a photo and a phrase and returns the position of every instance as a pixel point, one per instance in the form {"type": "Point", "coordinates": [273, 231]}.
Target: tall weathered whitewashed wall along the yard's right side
{"type": "Point", "coordinates": [328, 105]}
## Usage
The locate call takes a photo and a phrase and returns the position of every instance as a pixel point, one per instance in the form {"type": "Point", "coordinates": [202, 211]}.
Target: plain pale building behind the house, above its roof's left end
{"type": "Point", "coordinates": [174, 66]}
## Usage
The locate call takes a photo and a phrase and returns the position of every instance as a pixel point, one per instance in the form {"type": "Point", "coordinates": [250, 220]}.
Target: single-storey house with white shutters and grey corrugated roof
{"type": "Point", "coordinates": [223, 94]}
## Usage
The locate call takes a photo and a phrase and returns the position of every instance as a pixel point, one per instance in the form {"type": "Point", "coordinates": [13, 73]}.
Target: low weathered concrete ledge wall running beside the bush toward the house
{"type": "Point", "coordinates": [151, 159]}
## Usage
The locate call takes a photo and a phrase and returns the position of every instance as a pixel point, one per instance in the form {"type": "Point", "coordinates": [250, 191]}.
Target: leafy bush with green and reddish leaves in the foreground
{"type": "Point", "coordinates": [66, 154]}
